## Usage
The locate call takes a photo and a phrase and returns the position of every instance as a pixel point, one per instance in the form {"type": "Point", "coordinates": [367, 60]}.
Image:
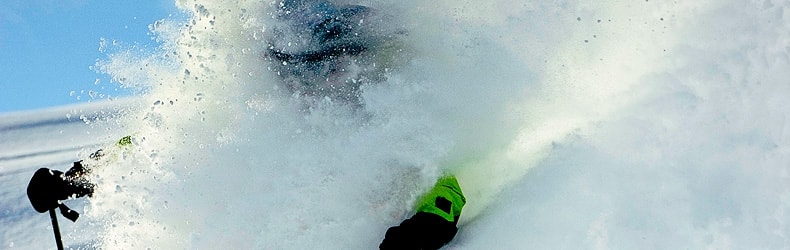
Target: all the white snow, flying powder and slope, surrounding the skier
{"type": "Point", "coordinates": [570, 125]}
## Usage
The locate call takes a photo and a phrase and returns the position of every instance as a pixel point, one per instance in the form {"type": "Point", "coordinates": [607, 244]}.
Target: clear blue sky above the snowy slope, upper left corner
{"type": "Point", "coordinates": [48, 47]}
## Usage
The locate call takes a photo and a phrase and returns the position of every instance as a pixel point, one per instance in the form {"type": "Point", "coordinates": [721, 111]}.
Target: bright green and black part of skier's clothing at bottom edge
{"type": "Point", "coordinates": [435, 222]}
